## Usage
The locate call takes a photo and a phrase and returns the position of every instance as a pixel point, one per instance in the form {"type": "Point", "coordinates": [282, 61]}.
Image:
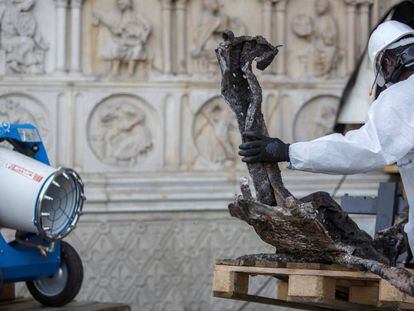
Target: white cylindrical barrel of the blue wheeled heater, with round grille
{"type": "Point", "coordinates": [38, 198]}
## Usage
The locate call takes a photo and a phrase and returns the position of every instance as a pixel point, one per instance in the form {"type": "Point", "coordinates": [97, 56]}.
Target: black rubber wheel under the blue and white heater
{"type": "Point", "coordinates": [61, 288]}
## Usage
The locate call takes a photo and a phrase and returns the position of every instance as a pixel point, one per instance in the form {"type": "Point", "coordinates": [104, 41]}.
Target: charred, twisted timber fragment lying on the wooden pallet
{"type": "Point", "coordinates": [311, 229]}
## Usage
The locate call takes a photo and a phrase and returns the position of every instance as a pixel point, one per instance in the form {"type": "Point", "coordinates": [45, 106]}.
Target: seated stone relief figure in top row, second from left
{"type": "Point", "coordinates": [130, 31]}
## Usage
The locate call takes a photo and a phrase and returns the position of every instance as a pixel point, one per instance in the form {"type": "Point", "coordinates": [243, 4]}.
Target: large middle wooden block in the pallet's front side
{"type": "Point", "coordinates": [318, 289]}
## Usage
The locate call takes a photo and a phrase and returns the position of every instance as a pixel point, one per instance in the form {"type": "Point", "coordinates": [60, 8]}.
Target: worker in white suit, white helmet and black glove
{"type": "Point", "coordinates": [387, 136]}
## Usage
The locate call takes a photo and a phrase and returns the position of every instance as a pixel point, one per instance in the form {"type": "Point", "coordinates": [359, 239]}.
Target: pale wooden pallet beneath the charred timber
{"type": "Point", "coordinates": [310, 286]}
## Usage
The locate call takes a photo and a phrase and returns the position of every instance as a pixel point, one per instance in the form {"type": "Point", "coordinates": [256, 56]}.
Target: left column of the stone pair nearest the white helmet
{"type": "Point", "coordinates": [351, 33]}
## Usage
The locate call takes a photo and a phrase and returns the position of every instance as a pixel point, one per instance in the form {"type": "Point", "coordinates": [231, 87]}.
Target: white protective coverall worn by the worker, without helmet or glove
{"type": "Point", "coordinates": [386, 137]}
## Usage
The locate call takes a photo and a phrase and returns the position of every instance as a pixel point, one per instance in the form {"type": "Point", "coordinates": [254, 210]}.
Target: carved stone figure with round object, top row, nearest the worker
{"type": "Point", "coordinates": [321, 55]}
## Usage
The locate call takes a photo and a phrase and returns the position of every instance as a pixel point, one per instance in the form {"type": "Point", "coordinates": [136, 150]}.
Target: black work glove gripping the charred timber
{"type": "Point", "coordinates": [260, 148]}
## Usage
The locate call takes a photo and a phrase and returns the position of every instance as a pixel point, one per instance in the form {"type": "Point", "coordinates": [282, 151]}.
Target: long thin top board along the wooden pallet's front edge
{"type": "Point", "coordinates": [346, 275]}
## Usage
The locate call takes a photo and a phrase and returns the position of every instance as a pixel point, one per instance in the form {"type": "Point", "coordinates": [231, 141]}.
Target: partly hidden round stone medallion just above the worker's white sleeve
{"type": "Point", "coordinates": [316, 118]}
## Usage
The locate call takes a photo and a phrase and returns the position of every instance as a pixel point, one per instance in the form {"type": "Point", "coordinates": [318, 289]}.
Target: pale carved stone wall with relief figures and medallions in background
{"type": "Point", "coordinates": [127, 93]}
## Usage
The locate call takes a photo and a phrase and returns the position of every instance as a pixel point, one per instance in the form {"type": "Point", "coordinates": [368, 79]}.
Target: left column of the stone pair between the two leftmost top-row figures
{"type": "Point", "coordinates": [60, 13]}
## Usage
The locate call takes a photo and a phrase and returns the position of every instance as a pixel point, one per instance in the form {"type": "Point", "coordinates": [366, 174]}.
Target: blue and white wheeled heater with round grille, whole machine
{"type": "Point", "coordinates": [43, 204]}
